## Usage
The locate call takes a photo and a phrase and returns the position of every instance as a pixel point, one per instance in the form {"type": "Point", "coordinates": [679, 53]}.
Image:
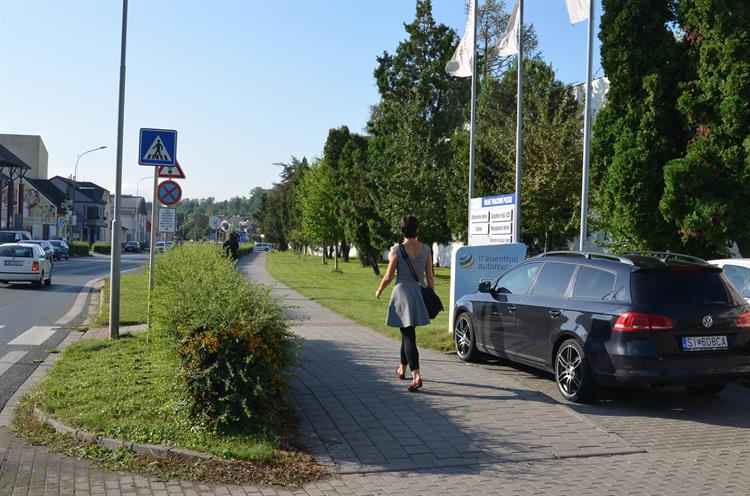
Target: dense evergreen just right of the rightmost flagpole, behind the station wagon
{"type": "Point", "coordinates": [639, 130]}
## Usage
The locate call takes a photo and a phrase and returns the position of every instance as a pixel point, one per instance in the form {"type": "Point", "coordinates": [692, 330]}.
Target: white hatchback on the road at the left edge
{"type": "Point", "coordinates": [25, 262]}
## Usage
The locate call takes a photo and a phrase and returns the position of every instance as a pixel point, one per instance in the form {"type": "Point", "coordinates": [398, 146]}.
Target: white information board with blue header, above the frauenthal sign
{"type": "Point", "coordinates": [492, 220]}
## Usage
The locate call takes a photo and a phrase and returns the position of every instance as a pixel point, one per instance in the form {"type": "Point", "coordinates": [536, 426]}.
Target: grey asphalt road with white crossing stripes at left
{"type": "Point", "coordinates": [34, 321]}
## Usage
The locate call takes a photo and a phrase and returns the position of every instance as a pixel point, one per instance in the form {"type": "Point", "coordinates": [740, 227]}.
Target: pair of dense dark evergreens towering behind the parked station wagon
{"type": "Point", "coordinates": [672, 146]}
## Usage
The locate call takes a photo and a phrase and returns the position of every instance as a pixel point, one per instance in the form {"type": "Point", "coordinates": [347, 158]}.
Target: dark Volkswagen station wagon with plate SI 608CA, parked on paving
{"type": "Point", "coordinates": [594, 320]}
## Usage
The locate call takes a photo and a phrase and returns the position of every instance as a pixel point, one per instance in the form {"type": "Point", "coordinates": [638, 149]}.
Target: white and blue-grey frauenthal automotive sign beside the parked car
{"type": "Point", "coordinates": [474, 264]}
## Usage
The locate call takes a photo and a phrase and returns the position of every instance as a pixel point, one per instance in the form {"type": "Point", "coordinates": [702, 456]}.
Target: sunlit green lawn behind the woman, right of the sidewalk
{"type": "Point", "coordinates": [351, 291]}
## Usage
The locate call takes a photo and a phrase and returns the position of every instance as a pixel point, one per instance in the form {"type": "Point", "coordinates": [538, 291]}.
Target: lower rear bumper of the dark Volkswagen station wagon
{"type": "Point", "coordinates": [655, 371]}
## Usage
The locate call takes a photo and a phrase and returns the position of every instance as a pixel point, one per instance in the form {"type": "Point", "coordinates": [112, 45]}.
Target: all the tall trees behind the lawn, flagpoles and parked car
{"type": "Point", "coordinates": [670, 157]}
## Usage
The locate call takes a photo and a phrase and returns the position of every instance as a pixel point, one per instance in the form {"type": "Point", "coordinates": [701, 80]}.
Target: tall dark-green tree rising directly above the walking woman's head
{"type": "Point", "coordinates": [420, 106]}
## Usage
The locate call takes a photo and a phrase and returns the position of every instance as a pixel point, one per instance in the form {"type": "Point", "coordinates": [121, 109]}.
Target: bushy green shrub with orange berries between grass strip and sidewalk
{"type": "Point", "coordinates": [233, 342]}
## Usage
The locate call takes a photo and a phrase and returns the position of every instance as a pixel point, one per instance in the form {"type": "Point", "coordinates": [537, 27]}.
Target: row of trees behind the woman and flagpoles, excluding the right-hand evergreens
{"type": "Point", "coordinates": [413, 157]}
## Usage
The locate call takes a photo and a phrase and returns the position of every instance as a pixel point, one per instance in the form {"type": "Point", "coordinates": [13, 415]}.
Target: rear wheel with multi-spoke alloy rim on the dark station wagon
{"type": "Point", "coordinates": [572, 373]}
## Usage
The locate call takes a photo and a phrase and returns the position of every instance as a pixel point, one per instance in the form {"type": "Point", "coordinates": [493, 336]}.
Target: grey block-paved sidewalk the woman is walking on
{"type": "Point", "coordinates": [472, 429]}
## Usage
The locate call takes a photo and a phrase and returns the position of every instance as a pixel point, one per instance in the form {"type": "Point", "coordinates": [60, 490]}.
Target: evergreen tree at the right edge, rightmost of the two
{"type": "Point", "coordinates": [708, 190]}
